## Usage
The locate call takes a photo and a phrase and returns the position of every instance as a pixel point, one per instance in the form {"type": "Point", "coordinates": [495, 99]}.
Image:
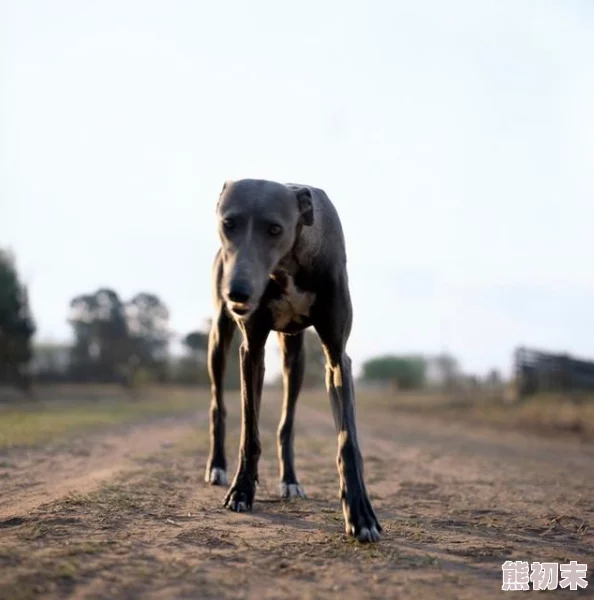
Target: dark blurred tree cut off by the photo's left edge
{"type": "Point", "coordinates": [16, 324]}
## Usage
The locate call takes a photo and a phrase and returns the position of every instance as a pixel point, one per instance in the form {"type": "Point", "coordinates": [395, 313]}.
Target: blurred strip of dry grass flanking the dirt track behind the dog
{"type": "Point", "coordinates": [60, 410]}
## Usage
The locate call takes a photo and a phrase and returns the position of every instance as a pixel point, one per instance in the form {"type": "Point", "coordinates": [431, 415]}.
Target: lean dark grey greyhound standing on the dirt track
{"type": "Point", "coordinates": [282, 267]}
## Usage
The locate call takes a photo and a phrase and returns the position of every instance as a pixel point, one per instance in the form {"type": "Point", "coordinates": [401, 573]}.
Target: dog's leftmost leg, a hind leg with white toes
{"type": "Point", "coordinates": [219, 340]}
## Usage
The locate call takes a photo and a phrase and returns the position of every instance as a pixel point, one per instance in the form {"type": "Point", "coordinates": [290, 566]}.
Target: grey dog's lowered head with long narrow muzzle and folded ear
{"type": "Point", "coordinates": [258, 224]}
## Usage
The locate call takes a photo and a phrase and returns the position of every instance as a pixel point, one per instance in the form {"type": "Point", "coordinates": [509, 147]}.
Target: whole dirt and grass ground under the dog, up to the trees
{"type": "Point", "coordinates": [102, 496]}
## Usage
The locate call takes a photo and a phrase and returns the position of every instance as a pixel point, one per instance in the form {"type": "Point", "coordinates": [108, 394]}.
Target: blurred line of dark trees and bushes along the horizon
{"type": "Point", "coordinates": [128, 341]}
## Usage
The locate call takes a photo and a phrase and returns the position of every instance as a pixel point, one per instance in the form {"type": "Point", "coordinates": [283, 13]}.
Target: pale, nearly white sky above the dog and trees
{"type": "Point", "coordinates": [455, 139]}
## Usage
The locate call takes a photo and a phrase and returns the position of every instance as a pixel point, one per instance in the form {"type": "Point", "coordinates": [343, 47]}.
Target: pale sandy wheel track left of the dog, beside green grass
{"type": "Point", "coordinates": [34, 477]}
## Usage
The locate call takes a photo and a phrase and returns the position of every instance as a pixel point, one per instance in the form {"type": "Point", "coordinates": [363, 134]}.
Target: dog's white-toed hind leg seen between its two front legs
{"type": "Point", "coordinates": [293, 371]}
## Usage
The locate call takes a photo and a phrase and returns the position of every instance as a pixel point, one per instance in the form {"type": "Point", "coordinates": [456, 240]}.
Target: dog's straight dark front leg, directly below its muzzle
{"type": "Point", "coordinates": [240, 496]}
